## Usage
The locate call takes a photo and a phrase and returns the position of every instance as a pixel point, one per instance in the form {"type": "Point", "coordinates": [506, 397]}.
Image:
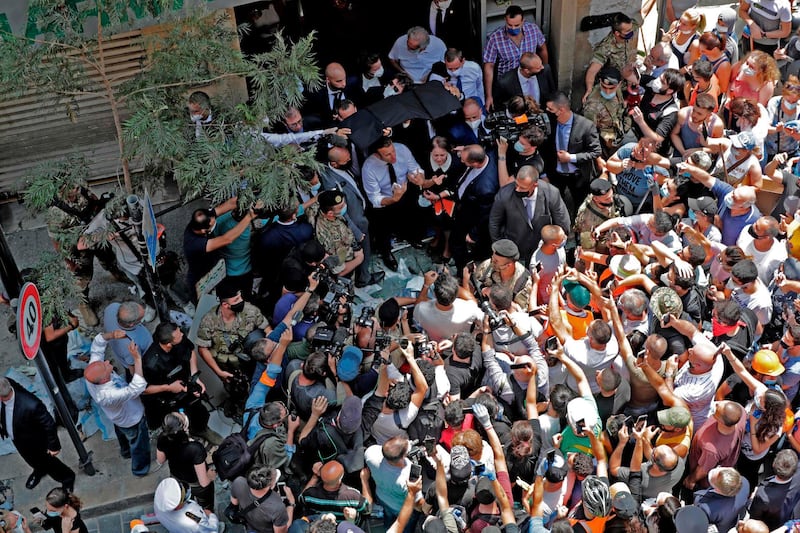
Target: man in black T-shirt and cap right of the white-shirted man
{"type": "Point", "coordinates": [170, 369]}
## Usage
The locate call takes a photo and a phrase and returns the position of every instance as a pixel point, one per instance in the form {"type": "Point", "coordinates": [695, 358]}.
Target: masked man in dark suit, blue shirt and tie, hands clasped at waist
{"type": "Point", "coordinates": [571, 151]}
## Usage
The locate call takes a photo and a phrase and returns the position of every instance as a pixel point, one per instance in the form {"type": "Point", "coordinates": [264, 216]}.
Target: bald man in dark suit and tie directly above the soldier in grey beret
{"type": "Point", "coordinates": [521, 209]}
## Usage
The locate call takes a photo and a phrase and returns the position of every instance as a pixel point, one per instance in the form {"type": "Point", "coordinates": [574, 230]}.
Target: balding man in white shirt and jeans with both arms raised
{"type": "Point", "coordinates": [120, 401]}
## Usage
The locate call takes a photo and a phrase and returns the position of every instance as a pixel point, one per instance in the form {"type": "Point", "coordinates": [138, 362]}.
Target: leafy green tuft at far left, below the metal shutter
{"type": "Point", "coordinates": [47, 179]}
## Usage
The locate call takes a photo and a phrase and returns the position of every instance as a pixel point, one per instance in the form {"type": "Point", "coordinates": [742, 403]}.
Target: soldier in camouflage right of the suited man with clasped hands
{"type": "Point", "coordinates": [606, 107]}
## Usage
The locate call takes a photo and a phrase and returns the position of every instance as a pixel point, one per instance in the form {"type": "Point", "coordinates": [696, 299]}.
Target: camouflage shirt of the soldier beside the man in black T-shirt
{"type": "Point", "coordinates": [223, 340]}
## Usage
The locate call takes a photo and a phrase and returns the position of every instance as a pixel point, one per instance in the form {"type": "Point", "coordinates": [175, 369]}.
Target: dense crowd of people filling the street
{"type": "Point", "coordinates": [609, 340]}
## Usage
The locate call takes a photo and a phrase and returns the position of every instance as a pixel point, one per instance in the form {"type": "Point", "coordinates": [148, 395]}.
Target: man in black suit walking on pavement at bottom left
{"type": "Point", "coordinates": [24, 419]}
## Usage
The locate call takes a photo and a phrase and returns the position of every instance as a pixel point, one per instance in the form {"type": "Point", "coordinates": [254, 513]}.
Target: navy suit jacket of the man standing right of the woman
{"type": "Point", "coordinates": [471, 215]}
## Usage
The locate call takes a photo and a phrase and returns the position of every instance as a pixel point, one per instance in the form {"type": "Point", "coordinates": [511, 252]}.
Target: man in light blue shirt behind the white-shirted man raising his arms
{"type": "Point", "coordinates": [127, 316]}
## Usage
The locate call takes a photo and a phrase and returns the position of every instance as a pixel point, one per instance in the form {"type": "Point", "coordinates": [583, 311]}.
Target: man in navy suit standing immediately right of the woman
{"type": "Point", "coordinates": [474, 193]}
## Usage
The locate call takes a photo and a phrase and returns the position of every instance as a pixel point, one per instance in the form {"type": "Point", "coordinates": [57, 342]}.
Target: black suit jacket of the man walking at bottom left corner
{"type": "Point", "coordinates": [33, 427]}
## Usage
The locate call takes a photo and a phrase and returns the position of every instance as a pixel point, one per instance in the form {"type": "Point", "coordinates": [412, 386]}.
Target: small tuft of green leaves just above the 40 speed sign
{"type": "Point", "coordinates": [57, 286]}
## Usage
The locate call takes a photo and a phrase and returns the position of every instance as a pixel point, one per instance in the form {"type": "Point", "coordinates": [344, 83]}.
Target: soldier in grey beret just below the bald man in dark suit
{"type": "Point", "coordinates": [502, 268]}
